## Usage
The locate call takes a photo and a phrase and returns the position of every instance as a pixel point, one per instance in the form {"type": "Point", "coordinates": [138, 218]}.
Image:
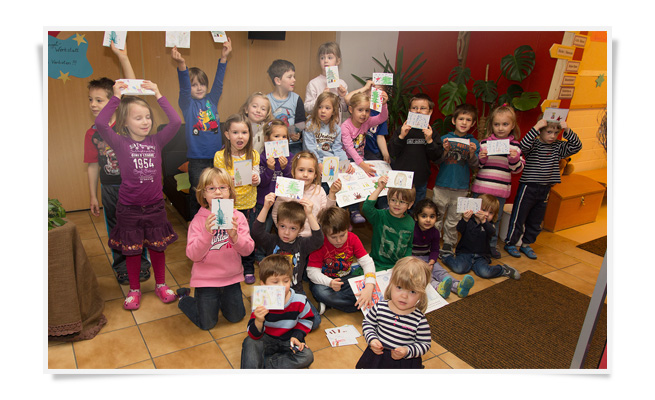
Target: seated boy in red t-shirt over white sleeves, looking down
{"type": "Point", "coordinates": [341, 257]}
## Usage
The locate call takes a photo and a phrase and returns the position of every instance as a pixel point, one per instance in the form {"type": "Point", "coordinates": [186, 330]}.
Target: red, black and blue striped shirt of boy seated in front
{"type": "Point", "coordinates": [295, 320]}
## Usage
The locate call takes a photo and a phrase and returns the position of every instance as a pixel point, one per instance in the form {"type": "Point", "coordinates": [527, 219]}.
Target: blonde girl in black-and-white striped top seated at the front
{"type": "Point", "coordinates": [396, 329]}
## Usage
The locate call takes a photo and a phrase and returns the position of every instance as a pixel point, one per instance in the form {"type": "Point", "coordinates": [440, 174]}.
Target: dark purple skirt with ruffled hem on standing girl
{"type": "Point", "coordinates": [139, 226]}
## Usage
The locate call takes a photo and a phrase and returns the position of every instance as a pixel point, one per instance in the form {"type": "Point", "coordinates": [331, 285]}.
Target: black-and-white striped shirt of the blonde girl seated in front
{"type": "Point", "coordinates": [393, 330]}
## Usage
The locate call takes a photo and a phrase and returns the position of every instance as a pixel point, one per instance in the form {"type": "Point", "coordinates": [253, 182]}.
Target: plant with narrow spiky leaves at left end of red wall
{"type": "Point", "coordinates": [406, 83]}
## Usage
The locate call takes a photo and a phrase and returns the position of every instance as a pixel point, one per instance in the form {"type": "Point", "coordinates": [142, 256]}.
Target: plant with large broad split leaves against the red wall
{"type": "Point", "coordinates": [514, 67]}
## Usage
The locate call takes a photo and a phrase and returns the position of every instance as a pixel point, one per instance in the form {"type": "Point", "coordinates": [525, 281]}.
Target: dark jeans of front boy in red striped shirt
{"type": "Point", "coordinates": [272, 353]}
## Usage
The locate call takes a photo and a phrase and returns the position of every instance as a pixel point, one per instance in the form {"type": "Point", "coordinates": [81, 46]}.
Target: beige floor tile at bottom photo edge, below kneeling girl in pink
{"type": "Point", "coordinates": [204, 356]}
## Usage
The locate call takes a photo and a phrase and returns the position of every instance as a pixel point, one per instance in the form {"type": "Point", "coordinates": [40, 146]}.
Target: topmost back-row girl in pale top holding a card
{"type": "Point", "coordinates": [329, 55]}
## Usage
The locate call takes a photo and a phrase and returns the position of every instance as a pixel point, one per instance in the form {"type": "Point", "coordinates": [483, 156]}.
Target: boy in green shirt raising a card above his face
{"type": "Point", "coordinates": [393, 228]}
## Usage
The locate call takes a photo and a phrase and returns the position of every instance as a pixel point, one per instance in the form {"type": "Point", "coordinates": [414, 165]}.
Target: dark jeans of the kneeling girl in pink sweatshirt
{"type": "Point", "coordinates": [203, 309]}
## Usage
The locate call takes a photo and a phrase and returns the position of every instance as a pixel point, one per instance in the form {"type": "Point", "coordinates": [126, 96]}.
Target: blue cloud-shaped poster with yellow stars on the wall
{"type": "Point", "coordinates": [68, 57]}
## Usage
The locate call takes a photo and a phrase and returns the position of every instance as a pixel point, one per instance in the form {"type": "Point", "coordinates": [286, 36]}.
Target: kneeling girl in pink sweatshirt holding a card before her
{"type": "Point", "coordinates": [216, 254]}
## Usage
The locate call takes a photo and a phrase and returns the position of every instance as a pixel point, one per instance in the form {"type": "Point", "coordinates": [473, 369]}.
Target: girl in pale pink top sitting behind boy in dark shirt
{"type": "Point", "coordinates": [304, 167]}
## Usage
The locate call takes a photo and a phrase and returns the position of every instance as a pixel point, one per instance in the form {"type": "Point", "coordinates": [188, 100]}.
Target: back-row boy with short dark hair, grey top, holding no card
{"type": "Point", "coordinates": [287, 105]}
